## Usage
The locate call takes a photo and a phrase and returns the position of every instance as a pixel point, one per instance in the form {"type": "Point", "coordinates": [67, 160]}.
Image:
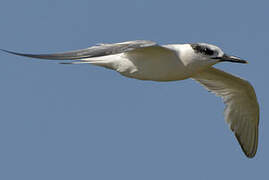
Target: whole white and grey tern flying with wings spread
{"type": "Point", "coordinates": [146, 60]}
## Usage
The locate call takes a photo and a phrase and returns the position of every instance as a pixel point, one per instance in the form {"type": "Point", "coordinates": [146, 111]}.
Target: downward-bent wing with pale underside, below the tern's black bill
{"type": "Point", "coordinates": [242, 108]}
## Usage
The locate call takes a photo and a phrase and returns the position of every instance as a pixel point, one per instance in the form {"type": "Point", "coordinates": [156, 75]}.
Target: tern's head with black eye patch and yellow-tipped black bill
{"type": "Point", "coordinates": [213, 54]}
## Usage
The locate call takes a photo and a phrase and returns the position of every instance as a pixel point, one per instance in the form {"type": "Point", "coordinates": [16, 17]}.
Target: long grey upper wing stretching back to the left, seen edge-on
{"type": "Point", "coordinates": [94, 51]}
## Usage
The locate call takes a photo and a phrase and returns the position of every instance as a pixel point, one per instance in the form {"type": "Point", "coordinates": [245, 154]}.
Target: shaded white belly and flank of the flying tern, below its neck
{"type": "Point", "coordinates": [154, 64]}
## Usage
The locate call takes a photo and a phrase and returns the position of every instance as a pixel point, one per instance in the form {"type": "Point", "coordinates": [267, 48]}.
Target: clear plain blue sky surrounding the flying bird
{"type": "Point", "coordinates": [86, 122]}
